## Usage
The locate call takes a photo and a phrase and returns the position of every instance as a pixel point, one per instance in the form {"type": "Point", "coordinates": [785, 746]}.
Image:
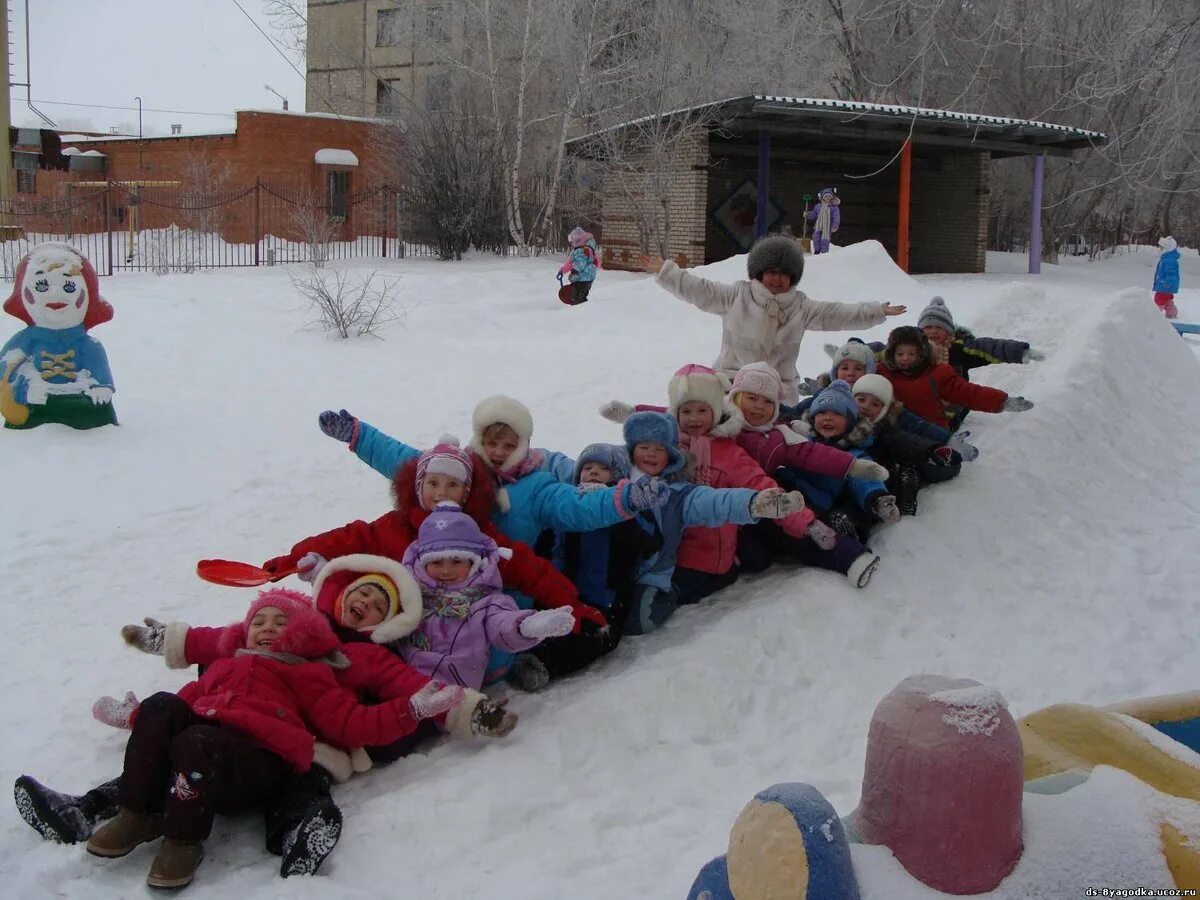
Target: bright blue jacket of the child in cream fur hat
{"type": "Point", "coordinates": [539, 501]}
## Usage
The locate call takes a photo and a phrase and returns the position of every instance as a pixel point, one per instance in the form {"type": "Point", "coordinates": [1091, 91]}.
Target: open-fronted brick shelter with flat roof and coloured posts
{"type": "Point", "coordinates": [754, 164]}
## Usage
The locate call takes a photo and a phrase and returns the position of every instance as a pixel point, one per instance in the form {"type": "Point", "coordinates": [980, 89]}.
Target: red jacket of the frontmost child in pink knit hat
{"type": "Point", "coordinates": [274, 703]}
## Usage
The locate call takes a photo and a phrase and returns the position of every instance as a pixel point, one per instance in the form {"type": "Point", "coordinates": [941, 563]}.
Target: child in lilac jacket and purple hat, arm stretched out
{"type": "Point", "coordinates": [466, 614]}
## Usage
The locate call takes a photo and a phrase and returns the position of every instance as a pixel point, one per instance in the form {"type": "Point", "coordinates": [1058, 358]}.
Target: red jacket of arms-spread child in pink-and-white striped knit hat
{"type": "Point", "coordinates": [392, 533]}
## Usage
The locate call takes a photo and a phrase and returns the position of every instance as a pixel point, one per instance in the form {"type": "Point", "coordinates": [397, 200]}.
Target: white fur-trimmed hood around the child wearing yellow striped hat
{"type": "Point", "coordinates": [341, 575]}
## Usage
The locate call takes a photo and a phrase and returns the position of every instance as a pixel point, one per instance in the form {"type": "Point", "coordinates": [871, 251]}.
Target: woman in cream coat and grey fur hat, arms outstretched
{"type": "Point", "coordinates": [766, 319]}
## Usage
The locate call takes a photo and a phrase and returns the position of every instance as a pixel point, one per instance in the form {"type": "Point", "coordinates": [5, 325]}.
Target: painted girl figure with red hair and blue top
{"type": "Point", "coordinates": [55, 371]}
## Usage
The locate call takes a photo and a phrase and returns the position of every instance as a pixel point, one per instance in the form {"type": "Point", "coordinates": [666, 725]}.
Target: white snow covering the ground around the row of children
{"type": "Point", "coordinates": [1061, 567]}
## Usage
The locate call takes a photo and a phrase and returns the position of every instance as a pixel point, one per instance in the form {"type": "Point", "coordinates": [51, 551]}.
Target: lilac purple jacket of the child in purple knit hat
{"type": "Point", "coordinates": [461, 623]}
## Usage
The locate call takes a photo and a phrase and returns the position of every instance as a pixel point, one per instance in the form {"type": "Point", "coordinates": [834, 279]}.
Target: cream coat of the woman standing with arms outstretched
{"type": "Point", "coordinates": [760, 327]}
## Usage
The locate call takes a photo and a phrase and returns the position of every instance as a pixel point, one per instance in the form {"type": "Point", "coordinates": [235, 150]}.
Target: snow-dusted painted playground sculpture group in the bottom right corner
{"type": "Point", "coordinates": [953, 789]}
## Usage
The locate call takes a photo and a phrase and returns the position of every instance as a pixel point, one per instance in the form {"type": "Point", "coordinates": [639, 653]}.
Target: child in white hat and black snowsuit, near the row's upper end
{"type": "Point", "coordinates": [913, 460]}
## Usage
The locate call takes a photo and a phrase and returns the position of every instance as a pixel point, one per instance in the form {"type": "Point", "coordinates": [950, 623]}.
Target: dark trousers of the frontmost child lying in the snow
{"type": "Point", "coordinates": [187, 770]}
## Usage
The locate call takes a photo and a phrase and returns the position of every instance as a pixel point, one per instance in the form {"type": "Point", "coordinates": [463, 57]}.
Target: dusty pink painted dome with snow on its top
{"type": "Point", "coordinates": [943, 784]}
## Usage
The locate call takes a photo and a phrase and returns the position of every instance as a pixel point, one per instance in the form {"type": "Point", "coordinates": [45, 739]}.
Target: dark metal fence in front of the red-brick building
{"type": "Point", "coordinates": [130, 227]}
